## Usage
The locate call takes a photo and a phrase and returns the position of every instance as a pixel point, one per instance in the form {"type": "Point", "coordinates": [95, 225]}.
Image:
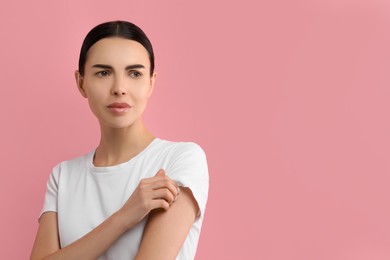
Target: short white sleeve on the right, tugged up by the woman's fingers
{"type": "Point", "coordinates": [189, 169]}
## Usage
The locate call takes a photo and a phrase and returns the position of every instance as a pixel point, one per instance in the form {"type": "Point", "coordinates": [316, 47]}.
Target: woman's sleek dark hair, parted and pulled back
{"type": "Point", "coordinates": [120, 29]}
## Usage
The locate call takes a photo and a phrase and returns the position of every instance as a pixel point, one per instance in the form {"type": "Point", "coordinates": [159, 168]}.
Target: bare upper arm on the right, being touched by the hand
{"type": "Point", "coordinates": [166, 231]}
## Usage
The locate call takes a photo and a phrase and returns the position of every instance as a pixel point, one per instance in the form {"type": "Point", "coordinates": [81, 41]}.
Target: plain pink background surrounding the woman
{"type": "Point", "coordinates": [289, 99]}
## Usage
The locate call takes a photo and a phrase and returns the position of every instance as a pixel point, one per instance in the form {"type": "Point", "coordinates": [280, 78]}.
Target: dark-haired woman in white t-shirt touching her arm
{"type": "Point", "coordinates": [122, 200]}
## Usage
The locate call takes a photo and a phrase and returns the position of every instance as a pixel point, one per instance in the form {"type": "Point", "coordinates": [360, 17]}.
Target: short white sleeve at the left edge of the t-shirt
{"type": "Point", "coordinates": [50, 203]}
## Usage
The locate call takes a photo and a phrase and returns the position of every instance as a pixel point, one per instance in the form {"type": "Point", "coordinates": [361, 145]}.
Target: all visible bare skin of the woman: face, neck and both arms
{"type": "Point", "coordinates": [123, 136]}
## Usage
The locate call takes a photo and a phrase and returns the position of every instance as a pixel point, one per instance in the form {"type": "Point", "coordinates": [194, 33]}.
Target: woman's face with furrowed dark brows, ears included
{"type": "Point", "coordinates": [117, 81]}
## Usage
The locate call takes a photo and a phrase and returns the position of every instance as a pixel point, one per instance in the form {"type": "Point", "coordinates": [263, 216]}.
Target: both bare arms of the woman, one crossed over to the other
{"type": "Point", "coordinates": [170, 220]}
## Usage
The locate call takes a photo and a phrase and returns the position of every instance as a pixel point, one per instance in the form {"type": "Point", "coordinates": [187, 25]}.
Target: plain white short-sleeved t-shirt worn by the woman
{"type": "Point", "coordinates": [84, 195]}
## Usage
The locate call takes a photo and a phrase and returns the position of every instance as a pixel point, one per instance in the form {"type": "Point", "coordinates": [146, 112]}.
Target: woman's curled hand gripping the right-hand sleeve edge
{"type": "Point", "coordinates": [152, 193]}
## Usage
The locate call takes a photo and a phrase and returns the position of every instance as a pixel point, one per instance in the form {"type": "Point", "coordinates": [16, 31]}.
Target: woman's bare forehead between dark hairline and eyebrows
{"type": "Point", "coordinates": [117, 52]}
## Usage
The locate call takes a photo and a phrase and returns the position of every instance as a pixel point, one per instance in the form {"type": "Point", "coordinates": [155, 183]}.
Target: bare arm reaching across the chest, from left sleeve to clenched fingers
{"type": "Point", "coordinates": [158, 192]}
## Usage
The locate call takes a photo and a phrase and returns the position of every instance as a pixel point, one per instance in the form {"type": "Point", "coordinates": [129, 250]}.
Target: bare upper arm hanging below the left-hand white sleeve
{"type": "Point", "coordinates": [46, 240]}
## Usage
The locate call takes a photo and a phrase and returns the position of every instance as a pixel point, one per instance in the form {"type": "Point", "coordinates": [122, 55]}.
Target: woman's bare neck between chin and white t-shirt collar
{"type": "Point", "coordinates": [118, 145]}
